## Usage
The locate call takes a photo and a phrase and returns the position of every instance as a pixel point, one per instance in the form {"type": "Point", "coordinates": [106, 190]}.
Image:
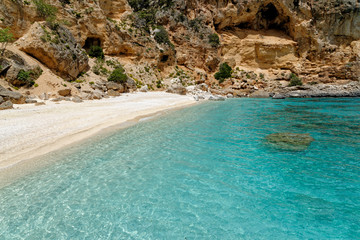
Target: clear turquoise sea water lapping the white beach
{"type": "Point", "coordinates": [203, 172]}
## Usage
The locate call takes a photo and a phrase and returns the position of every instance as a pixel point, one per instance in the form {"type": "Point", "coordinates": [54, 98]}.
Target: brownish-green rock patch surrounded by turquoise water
{"type": "Point", "coordinates": [290, 141]}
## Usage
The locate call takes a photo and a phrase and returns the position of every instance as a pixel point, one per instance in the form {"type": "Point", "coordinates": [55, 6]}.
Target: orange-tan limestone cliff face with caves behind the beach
{"type": "Point", "coordinates": [317, 40]}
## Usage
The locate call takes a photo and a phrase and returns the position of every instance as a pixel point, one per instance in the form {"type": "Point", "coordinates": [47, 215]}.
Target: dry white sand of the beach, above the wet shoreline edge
{"type": "Point", "coordinates": [30, 131]}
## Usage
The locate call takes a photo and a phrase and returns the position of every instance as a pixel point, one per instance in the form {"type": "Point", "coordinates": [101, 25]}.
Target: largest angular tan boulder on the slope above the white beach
{"type": "Point", "coordinates": [55, 47]}
